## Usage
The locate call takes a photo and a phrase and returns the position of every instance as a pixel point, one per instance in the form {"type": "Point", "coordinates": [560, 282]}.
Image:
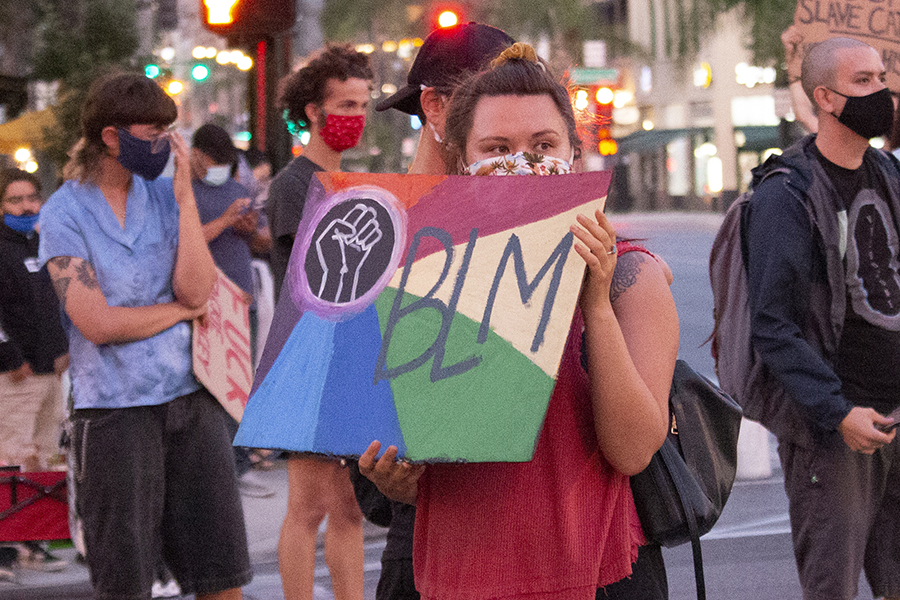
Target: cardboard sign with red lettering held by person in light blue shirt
{"type": "Point", "coordinates": [222, 347]}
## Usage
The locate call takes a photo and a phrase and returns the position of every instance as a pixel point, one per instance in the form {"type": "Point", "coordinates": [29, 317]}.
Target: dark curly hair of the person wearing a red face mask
{"type": "Point", "coordinates": [309, 83]}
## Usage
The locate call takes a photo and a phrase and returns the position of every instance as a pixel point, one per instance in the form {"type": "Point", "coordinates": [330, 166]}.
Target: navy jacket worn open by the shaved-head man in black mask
{"type": "Point", "coordinates": [796, 283]}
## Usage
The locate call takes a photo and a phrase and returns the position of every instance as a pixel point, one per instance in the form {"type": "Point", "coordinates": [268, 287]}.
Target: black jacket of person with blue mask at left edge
{"type": "Point", "coordinates": [30, 325]}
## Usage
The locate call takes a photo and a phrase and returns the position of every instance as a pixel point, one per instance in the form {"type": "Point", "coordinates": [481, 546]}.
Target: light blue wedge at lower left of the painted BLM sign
{"type": "Point", "coordinates": [292, 391]}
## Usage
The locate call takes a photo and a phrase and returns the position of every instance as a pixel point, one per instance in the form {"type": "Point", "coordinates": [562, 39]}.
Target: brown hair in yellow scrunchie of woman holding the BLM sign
{"type": "Point", "coordinates": [517, 71]}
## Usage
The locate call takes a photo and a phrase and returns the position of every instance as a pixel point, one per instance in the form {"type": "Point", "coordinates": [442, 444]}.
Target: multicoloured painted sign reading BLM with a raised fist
{"type": "Point", "coordinates": [427, 312]}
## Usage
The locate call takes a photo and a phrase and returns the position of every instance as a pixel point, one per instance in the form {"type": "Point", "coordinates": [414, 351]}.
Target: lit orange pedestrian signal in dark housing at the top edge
{"type": "Point", "coordinates": [248, 18]}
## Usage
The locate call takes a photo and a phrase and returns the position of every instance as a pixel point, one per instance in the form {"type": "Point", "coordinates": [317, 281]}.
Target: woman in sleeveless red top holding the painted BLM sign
{"type": "Point", "coordinates": [563, 524]}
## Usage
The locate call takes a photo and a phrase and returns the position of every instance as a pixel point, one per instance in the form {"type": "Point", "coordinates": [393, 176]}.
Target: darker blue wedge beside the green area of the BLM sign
{"type": "Point", "coordinates": [355, 410]}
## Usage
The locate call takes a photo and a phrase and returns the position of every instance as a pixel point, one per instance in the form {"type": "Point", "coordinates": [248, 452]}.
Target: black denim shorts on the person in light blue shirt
{"type": "Point", "coordinates": [158, 482]}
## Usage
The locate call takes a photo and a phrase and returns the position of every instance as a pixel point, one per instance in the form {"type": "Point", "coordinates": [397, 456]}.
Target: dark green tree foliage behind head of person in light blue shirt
{"type": "Point", "coordinates": [78, 40]}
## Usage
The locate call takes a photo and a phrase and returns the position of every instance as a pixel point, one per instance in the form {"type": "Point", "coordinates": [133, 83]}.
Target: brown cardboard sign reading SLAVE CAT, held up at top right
{"type": "Point", "coordinates": [875, 22]}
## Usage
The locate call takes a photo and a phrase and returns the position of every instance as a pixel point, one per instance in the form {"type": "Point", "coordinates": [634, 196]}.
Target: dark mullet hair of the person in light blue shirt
{"type": "Point", "coordinates": [116, 100]}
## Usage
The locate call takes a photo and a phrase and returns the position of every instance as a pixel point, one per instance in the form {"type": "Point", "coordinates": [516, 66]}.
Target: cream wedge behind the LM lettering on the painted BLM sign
{"type": "Point", "coordinates": [510, 318]}
